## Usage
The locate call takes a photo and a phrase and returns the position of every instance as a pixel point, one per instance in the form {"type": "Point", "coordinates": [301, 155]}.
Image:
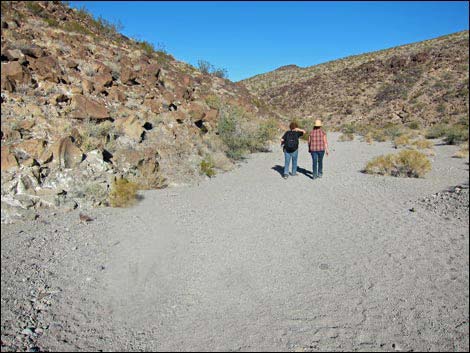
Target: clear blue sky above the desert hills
{"type": "Point", "coordinates": [252, 37]}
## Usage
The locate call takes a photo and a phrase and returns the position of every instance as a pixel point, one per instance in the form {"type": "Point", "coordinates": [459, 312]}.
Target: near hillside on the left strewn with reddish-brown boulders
{"type": "Point", "coordinates": [83, 105]}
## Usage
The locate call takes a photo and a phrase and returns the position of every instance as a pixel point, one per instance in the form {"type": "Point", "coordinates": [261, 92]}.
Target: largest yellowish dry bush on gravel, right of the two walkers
{"type": "Point", "coordinates": [407, 163]}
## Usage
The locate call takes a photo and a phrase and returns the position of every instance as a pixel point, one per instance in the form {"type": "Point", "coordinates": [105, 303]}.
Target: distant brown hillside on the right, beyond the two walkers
{"type": "Point", "coordinates": [425, 82]}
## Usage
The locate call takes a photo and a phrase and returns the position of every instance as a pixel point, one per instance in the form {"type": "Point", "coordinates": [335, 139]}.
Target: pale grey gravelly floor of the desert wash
{"type": "Point", "coordinates": [248, 261]}
